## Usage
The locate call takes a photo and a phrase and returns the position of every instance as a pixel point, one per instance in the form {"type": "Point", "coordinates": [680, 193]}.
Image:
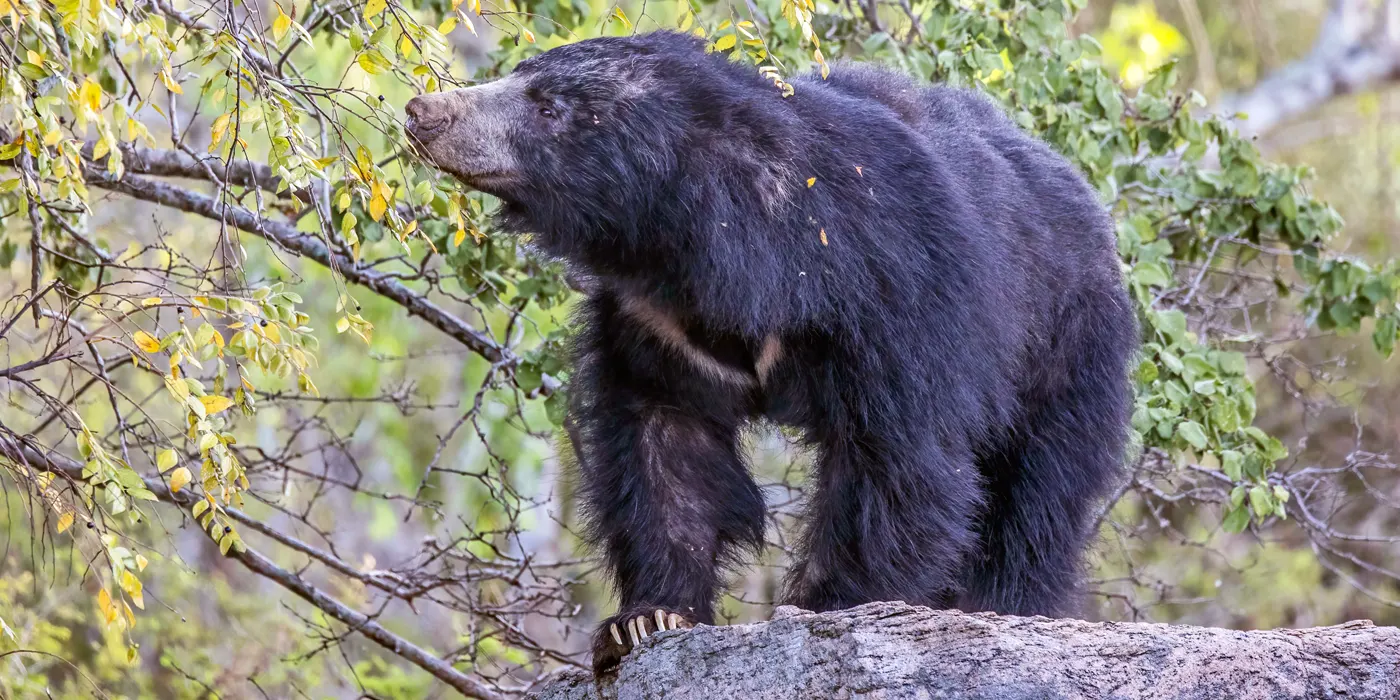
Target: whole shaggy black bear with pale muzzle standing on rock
{"type": "Point", "coordinates": [929, 295]}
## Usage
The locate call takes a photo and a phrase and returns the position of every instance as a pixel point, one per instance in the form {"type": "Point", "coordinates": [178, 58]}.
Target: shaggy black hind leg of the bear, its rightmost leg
{"type": "Point", "coordinates": [1046, 486]}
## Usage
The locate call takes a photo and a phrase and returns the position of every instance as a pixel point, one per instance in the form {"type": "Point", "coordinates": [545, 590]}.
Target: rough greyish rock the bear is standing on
{"type": "Point", "coordinates": [897, 650]}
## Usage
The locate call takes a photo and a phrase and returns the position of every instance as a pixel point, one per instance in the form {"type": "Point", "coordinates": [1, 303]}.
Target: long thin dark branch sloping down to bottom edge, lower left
{"type": "Point", "coordinates": [24, 454]}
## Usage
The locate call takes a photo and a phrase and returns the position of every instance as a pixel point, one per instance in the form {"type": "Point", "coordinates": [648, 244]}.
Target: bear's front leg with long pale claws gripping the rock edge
{"type": "Point", "coordinates": [670, 503]}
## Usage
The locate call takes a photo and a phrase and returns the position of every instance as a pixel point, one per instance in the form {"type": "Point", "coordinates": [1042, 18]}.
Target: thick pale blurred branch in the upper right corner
{"type": "Point", "coordinates": [1357, 48]}
